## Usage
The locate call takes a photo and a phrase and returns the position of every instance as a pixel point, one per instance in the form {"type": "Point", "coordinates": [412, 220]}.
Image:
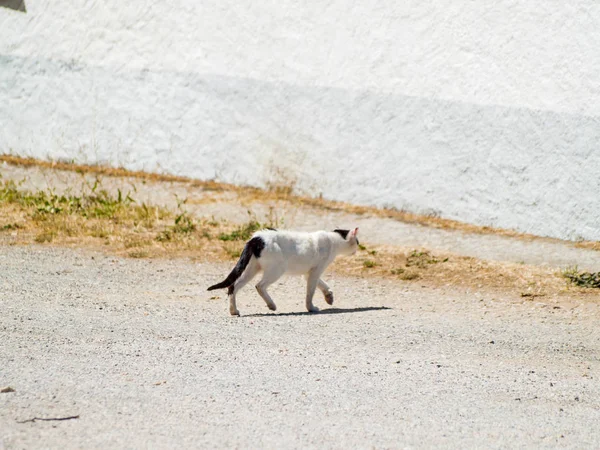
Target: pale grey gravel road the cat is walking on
{"type": "Point", "coordinates": [146, 359]}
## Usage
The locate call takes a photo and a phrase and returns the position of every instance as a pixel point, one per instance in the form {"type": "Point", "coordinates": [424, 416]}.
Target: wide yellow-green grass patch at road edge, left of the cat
{"type": "Point", "coordinates": [116, 223]}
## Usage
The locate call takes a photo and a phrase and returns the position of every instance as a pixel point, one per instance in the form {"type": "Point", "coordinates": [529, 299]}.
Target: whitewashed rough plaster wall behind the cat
{"type": "Point", "coordinates": [485, 112]}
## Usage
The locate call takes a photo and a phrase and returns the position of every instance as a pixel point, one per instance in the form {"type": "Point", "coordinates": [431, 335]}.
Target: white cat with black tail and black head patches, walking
{"type": "Point", "coordinates": [278, 252]}
